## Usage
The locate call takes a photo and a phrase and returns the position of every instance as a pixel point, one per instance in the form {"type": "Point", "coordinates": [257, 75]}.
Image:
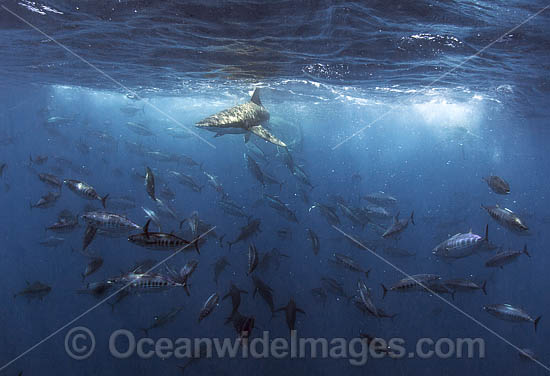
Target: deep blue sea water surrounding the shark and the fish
{"type": "Point", "coordinates": [372, 96]}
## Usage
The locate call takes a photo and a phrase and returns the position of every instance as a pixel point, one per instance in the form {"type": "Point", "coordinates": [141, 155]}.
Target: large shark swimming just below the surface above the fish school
{"type": "Point", "coordinates": [246, 118]}
